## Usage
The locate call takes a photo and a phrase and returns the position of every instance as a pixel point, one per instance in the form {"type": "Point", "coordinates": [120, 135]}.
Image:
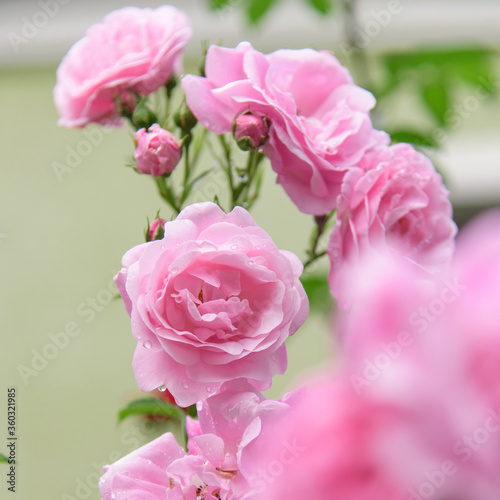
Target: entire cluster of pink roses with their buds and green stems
{"type": "Point", "coordinates": [212, 299]}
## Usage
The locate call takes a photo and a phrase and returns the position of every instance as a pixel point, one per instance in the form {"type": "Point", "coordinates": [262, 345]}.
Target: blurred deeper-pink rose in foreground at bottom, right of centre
{"type": "Point", "coordinates": [335, 441]}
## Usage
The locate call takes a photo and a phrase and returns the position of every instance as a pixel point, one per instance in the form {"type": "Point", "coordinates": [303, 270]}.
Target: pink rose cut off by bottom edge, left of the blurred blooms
{"type": "Point", "coordinates": [161, 470]}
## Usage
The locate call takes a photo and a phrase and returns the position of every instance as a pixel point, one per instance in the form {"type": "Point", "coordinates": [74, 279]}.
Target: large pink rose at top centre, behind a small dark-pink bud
{"type": "Point", "coordinates": [319, 123]}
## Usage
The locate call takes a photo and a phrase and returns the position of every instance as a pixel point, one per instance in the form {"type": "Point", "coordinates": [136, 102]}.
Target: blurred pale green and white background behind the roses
{"type": "Point", "coordinates": [62, 235]}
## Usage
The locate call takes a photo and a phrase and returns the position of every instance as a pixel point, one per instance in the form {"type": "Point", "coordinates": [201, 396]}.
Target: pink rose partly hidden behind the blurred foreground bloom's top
{"type": "Point", "coordinates": [397, 201]}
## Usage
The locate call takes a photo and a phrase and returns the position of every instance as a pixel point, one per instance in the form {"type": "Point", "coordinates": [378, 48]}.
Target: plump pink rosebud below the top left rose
{"type": "Point", "coordinates": [157, 151]}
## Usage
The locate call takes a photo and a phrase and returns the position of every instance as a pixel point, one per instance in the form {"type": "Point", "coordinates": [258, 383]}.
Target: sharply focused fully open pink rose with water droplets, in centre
{"type": "Point", "coordinates": [213, 301]}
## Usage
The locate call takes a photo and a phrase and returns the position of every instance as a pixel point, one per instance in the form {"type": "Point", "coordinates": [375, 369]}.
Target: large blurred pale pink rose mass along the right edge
{"type": "Point", "coordinates": [431, 347]}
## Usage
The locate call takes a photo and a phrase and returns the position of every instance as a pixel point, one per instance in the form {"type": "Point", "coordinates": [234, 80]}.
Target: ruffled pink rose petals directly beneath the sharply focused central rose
{"type": "Point", "coordinates": [241, 422]}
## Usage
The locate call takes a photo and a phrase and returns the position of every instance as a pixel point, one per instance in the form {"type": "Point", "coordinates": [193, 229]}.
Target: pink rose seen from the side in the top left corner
{"type": "Point", "coordinates": [132, 50]}
